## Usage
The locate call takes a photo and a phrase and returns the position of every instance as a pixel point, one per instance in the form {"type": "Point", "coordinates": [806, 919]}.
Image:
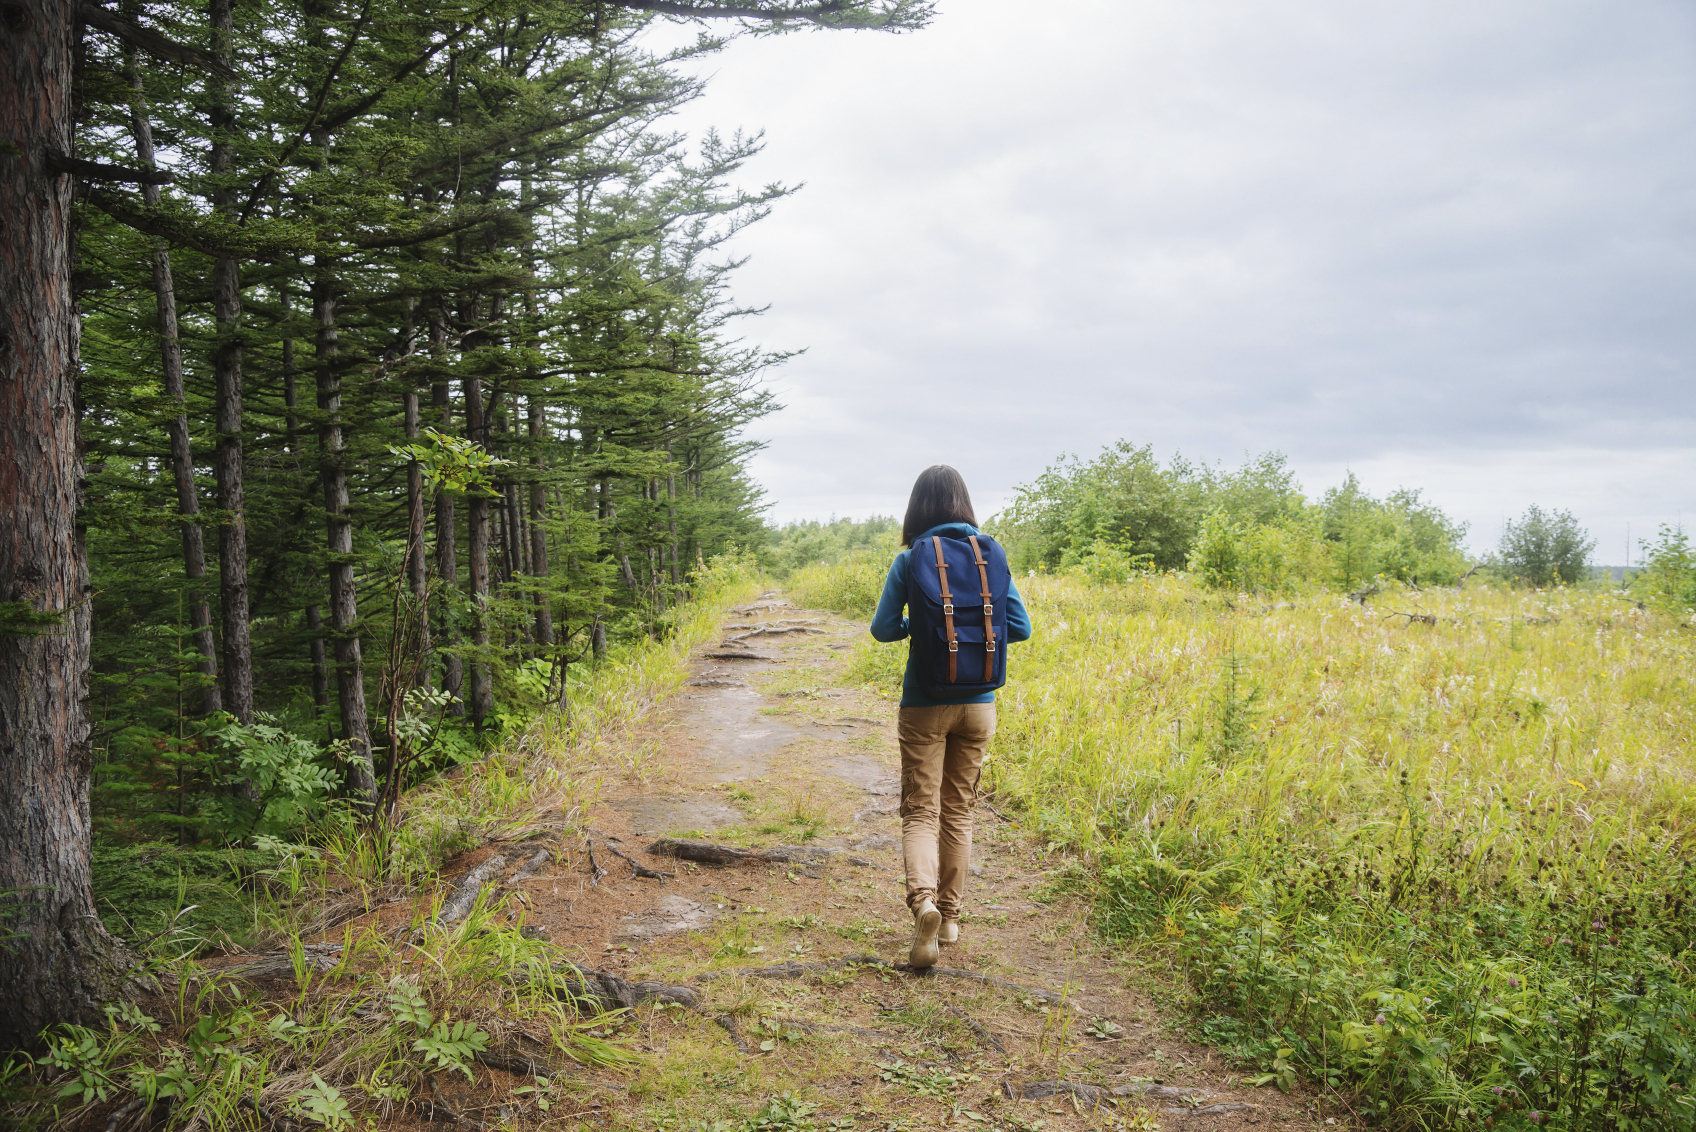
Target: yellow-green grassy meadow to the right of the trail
{"type": "Point", "coordinates": [1434, 853]}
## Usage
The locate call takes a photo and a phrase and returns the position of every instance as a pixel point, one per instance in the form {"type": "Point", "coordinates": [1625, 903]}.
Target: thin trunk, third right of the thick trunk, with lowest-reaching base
{"type": "Point", "coordinates": [343, 598]}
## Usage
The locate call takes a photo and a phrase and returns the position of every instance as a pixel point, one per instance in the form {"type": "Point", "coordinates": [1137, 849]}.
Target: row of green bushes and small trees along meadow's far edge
{"type": "Point", "coordinates": [1251, 529]}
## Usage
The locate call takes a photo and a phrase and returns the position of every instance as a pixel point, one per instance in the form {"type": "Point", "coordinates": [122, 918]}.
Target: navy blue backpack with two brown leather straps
{"type": "Point", "coordinates": [957, 615]}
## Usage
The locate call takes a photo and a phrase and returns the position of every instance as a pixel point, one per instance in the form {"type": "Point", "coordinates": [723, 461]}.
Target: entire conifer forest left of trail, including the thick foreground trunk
{"type": "Point", "coordinates": [369, 367]}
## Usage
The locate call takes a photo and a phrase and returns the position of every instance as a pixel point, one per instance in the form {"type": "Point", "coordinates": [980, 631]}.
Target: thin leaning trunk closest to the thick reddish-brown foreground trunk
{"type": "Point", "coordinates": [177, 429]}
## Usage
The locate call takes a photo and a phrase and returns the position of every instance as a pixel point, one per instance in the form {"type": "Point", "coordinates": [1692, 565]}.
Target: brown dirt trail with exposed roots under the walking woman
{"type": "Point", "coordinates": [769, 748]}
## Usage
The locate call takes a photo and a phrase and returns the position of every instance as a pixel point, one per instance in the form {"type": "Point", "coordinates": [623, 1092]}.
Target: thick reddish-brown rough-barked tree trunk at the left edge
{"type": "Point", "coordinates": [59, 963]}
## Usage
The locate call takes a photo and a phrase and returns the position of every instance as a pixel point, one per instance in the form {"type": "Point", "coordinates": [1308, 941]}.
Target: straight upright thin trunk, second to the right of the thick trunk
{"type": "Point", "coordinates": [226, 376]}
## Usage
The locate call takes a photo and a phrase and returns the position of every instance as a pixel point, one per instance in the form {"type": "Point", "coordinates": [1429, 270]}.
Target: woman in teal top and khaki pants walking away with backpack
{"type": "Point", "coordinates": [962, 612]}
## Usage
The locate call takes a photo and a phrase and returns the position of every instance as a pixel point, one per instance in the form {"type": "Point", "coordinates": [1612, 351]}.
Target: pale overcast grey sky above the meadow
{"type": "Point", "coordinates": [1446, 245]}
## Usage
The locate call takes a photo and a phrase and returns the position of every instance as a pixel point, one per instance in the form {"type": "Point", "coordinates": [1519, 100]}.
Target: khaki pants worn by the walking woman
{"type": "Point", "coordinates": [942, 758]}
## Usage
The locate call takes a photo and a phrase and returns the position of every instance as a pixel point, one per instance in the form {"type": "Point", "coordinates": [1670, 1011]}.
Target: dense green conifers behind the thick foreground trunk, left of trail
{"type": "Point", "coordinates": [408, 389]}
